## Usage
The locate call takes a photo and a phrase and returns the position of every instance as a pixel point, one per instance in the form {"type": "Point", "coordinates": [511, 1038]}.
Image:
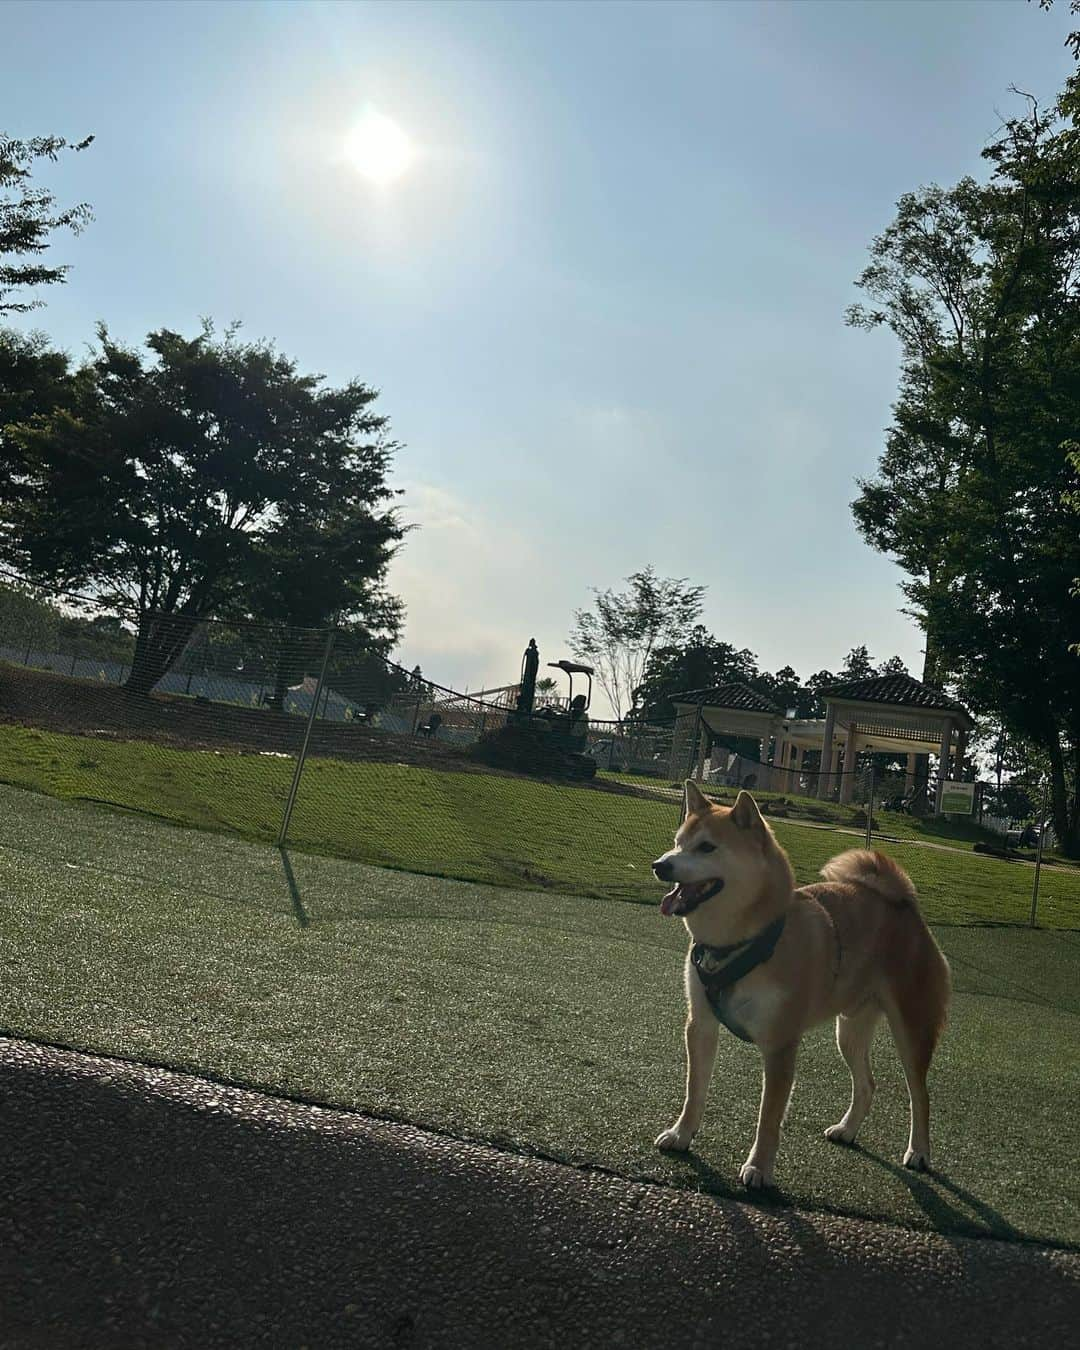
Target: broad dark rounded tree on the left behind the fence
{"type": "Point", "coordinates": [205, 476]}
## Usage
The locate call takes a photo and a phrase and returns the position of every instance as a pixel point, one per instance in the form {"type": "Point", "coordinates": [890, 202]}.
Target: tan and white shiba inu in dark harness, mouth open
{"type": "Point", "coordinates": [770, 962]}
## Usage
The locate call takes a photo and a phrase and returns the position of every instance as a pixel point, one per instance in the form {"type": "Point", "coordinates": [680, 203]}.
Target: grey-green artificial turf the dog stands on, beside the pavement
{"type": "Point", "coordinates": [541, 1023]}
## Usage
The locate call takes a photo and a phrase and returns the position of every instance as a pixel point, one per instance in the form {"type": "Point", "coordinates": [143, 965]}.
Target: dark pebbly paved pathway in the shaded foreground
{"type": "Point", "coordinates": [146, 1209]}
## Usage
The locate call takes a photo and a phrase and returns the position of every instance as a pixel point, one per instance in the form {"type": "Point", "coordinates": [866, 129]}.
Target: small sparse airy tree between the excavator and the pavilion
{"type": "Point", "coordinates": [622, 631]}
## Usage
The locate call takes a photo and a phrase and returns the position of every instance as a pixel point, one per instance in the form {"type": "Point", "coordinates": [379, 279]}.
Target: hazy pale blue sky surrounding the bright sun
{"type": "Point", "coordinates": [604, 306]}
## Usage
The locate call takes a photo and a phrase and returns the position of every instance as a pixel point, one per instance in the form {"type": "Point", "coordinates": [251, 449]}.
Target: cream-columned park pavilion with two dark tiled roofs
{"type": "Point", "coordinates": [892, 713]}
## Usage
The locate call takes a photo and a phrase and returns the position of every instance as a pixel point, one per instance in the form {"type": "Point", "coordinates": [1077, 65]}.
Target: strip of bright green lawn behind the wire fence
{"type": "Point", "coordinates": [477, 827]}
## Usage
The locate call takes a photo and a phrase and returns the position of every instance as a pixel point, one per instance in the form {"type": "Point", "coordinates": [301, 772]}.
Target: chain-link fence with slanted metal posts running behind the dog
{"type": "Point", "coordinates": [311, 738]}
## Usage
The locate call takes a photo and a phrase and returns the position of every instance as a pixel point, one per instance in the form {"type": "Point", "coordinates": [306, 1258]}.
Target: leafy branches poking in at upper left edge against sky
{"type": "Point", "coordinates": [29, 217]}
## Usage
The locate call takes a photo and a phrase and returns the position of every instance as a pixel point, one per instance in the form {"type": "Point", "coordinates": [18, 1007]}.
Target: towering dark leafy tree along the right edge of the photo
{"type": "Point", "coordinates": [981, 286]}
